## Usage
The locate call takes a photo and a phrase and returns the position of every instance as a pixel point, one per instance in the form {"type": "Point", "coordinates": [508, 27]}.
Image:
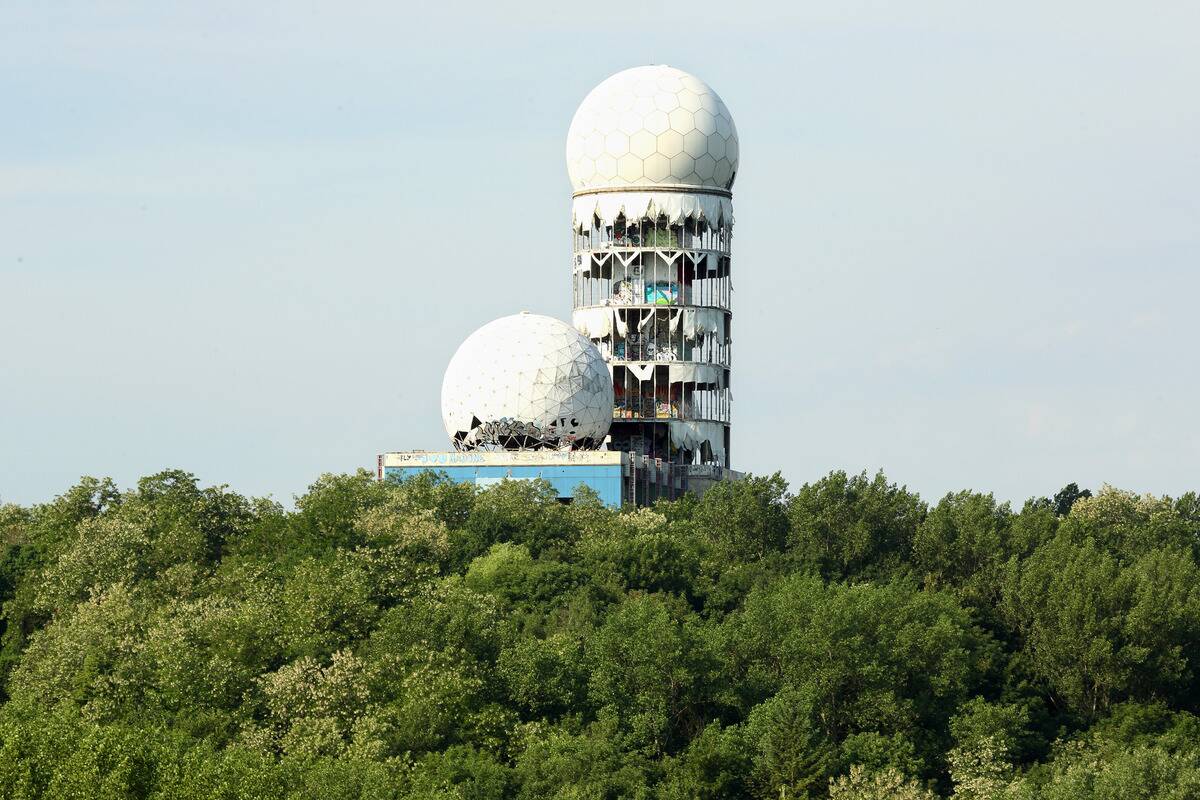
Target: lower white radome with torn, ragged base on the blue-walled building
{"type": "Point", "coordinates": [527, 382]}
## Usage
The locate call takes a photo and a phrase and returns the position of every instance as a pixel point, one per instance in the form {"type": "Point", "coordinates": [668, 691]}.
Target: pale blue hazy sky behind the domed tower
{"type": "Point", "coordinates": [244, 239]}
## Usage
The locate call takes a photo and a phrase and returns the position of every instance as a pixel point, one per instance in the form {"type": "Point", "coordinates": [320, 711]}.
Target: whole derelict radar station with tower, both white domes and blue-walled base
{"type": "Point", "coordinates": [632, 402]}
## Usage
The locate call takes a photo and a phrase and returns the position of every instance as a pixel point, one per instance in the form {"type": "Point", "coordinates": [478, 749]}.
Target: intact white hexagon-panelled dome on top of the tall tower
{"type": "Point", "coordinates": [652, 127]}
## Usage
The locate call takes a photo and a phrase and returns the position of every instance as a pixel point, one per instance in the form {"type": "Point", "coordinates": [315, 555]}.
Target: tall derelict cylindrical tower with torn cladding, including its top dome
{"type": "Point", "coordinates": [652, 154]}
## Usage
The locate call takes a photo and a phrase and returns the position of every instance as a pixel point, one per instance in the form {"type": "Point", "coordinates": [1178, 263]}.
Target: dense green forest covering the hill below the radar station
{"type": "Point", "coordinates": [843, 640]}
